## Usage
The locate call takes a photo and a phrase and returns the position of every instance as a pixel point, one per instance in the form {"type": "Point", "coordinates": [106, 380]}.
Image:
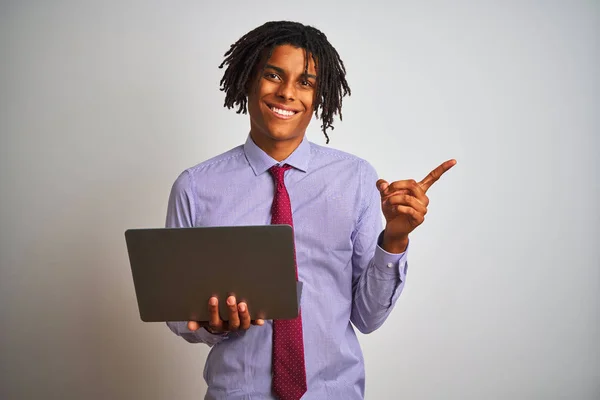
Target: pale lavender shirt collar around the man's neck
{"type": "Point", "coordinates": [261, 161]}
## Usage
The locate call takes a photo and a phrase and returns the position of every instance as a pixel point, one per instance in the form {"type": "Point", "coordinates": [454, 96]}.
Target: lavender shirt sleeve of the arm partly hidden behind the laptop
{"type": "Point", "coordinates": [181, 213]}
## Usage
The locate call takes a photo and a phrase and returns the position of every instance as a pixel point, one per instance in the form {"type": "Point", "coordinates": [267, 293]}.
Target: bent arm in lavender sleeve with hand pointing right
{"type": "Point", "coordinates": [404, 205]}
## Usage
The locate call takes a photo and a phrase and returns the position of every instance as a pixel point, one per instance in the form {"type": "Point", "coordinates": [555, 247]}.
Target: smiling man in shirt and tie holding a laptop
{"type": "Point", "coordinates": [352, 270]}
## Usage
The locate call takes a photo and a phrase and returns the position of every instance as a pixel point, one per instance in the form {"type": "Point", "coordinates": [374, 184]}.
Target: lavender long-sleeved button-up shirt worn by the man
{"type": "Point", "coordinates": [348, 279]}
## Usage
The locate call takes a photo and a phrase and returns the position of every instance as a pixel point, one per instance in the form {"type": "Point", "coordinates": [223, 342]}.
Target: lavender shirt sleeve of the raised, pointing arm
{"type": "Point", "coordinates": [378, 276]}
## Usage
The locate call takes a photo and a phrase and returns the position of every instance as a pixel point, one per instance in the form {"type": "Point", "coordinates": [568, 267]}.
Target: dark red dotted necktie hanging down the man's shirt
{"type": "Point", "coordinates": [289, 373]}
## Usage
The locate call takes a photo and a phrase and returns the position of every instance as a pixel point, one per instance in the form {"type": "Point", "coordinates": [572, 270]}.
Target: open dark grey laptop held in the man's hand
{"type": "Point", "coordinates": [176, 270]}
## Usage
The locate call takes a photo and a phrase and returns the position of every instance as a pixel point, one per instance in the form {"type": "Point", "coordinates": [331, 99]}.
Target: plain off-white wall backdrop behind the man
{"type": "Point", "coordinates": [103, 104]}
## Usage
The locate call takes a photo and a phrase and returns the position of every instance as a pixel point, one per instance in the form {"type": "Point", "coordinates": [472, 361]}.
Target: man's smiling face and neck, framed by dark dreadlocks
{"type": "Point", "coordinates": [280, 101]}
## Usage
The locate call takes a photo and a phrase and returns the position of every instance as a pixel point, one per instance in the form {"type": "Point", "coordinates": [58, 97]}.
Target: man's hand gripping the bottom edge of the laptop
{"type": "Point", "coordinates": [239, 317]}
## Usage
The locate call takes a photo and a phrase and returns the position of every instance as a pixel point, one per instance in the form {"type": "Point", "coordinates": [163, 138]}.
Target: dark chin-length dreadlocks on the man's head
{"type": "Point", "coordinates": [244, 55]}
